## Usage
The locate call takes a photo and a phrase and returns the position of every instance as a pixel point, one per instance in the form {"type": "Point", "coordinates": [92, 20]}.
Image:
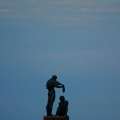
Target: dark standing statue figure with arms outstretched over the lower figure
{"type": "Point", "coordinates": [51, 84]}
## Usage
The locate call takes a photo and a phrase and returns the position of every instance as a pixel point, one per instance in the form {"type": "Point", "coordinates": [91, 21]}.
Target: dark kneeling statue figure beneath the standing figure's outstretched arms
{"type": "Point", "coordinates": [63, 107]}
